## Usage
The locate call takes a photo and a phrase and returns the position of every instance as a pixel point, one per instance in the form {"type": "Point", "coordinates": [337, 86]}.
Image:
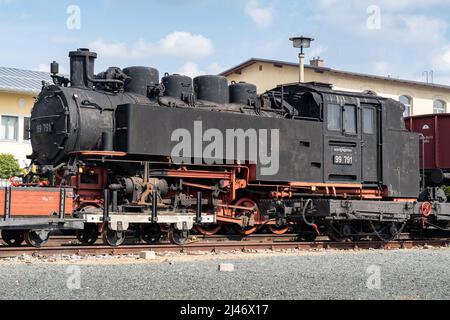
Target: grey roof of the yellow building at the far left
{"type": "Point", "coordinates": [22, 81]}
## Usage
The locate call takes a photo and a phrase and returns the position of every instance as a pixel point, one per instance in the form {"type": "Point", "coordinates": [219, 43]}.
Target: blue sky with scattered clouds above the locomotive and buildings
{"type": "Point", "coordinates": [400, 38]}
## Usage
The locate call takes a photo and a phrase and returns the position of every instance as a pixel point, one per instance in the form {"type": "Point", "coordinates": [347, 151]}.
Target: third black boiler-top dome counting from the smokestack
{"type": "Point", "coordinates": [211, 88]}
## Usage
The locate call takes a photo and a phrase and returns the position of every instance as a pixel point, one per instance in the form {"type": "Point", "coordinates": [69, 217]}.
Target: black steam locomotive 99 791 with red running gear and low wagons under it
{"type": "Point", "coordinates": [122, 151]}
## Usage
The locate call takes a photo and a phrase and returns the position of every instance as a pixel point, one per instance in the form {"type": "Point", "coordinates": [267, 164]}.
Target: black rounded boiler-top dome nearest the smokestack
{"type": "Point", "coordinates": [141, 79]}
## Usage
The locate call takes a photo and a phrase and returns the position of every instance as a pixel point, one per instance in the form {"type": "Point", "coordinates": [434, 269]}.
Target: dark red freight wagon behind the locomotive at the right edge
{"type": "Point", "coordinates": [435, 129]}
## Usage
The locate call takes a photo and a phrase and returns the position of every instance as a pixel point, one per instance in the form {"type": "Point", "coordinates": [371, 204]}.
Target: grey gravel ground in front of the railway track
{"type": "Point", "coordinates": [412, 274]}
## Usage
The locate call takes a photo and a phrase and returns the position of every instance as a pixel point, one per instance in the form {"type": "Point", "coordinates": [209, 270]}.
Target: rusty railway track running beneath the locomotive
{"type": "Point", "coordinates": [218, 247]}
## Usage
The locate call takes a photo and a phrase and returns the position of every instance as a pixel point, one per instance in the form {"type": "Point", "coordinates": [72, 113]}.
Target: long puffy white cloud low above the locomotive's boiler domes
{"type": "Point", "coordinates": [176, 44]}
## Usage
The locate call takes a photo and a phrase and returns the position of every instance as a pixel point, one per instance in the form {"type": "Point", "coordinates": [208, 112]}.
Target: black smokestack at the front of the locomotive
{"type": "Point", "coordinates": [82, 64]}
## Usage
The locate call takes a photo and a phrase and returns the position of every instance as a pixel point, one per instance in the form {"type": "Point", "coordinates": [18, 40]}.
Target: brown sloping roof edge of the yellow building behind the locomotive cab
{"type": "Point", "coordinates": [322, 69]}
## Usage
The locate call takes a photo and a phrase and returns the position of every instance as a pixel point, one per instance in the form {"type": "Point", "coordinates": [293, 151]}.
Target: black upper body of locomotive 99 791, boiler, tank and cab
{"type": "Point", "coordinates": [325, 136]}
